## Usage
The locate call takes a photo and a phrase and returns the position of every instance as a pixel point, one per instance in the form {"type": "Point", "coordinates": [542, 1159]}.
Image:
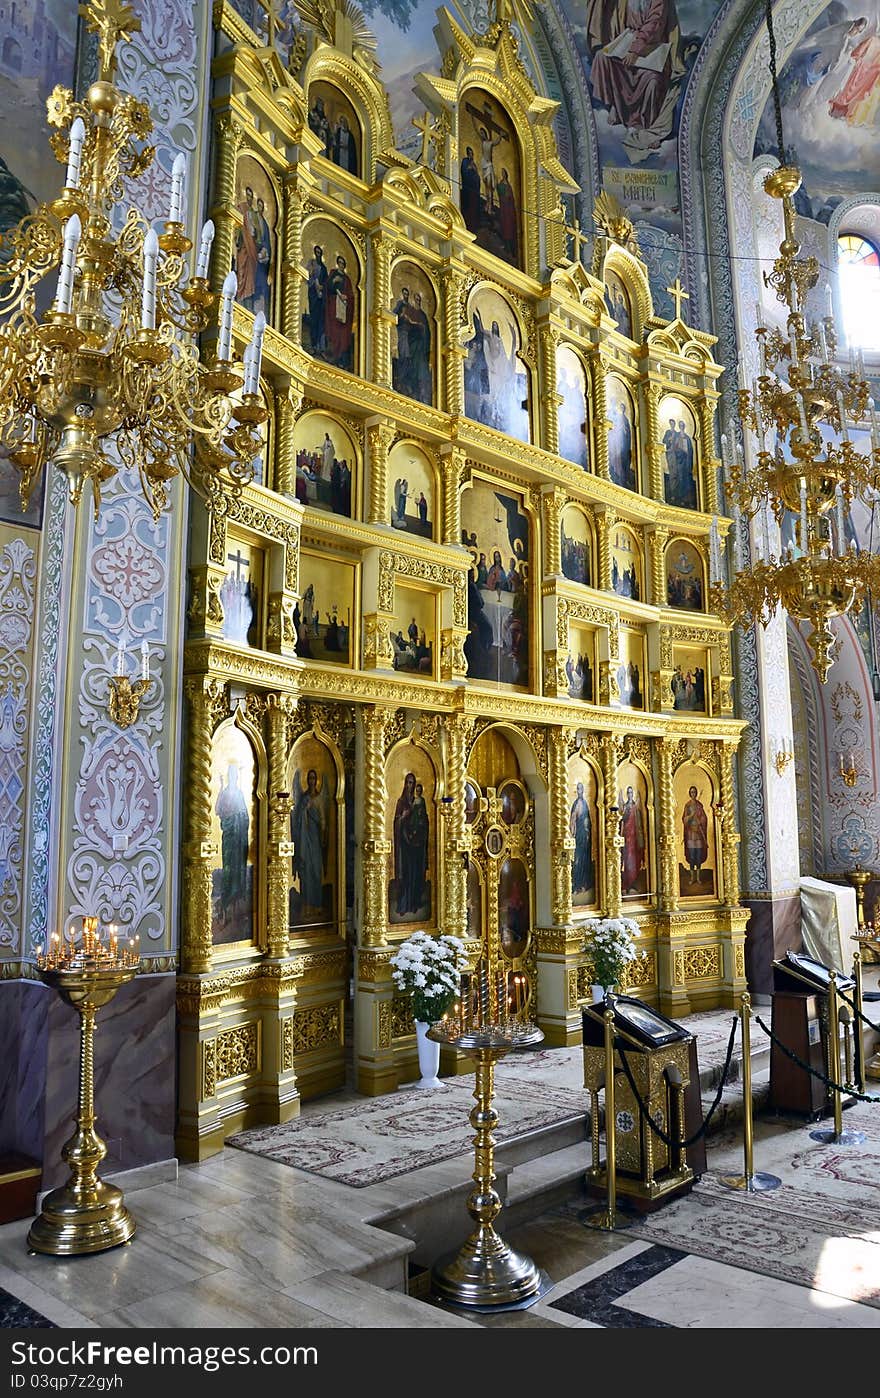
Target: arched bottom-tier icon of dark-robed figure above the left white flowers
{"type": "Point", "coordinates": [412, 828]}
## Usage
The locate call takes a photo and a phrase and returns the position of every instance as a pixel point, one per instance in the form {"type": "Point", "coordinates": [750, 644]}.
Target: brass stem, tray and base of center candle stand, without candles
{"type": "Point", "coordinates": [486, 1274]}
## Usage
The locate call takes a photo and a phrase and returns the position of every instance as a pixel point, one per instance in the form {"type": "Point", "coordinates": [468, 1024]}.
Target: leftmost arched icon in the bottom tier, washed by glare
{"type": "Point", "coordinates": [234, 837]}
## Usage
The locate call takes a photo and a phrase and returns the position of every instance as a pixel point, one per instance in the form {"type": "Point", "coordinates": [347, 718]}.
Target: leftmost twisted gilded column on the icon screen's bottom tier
{"type": "Point", "coordinates": [199, 851]}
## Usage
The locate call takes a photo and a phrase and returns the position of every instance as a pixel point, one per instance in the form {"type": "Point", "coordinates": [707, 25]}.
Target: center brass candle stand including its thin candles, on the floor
{"type": "Point", "coordinates": [490, 1020]}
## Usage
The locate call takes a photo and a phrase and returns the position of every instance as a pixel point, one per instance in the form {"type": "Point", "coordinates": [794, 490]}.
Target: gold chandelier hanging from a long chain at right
{"type": "Point", "coordinates": [798, 391]}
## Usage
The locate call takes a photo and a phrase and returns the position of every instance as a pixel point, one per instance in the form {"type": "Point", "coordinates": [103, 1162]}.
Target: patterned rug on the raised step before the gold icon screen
{"type": "Point", "coordinates": [378, 1139]}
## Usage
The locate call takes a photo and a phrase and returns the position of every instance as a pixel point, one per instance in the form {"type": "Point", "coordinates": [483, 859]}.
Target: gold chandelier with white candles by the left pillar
{"type": "Point", "coordinates": [115, 360]}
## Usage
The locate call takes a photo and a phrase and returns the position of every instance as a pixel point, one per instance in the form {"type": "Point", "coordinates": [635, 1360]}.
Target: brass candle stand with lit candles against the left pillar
{"type": "Point", "coordinates": [86, 1216]}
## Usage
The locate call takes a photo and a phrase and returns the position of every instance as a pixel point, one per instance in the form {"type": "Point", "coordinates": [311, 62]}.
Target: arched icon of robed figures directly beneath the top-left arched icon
{"type": "Point", "coordinates": [332, 286]}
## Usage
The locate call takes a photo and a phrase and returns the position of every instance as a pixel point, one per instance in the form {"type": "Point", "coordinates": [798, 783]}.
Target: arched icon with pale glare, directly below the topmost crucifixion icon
{"type": "Point", "coordinates": [496, 377]}
